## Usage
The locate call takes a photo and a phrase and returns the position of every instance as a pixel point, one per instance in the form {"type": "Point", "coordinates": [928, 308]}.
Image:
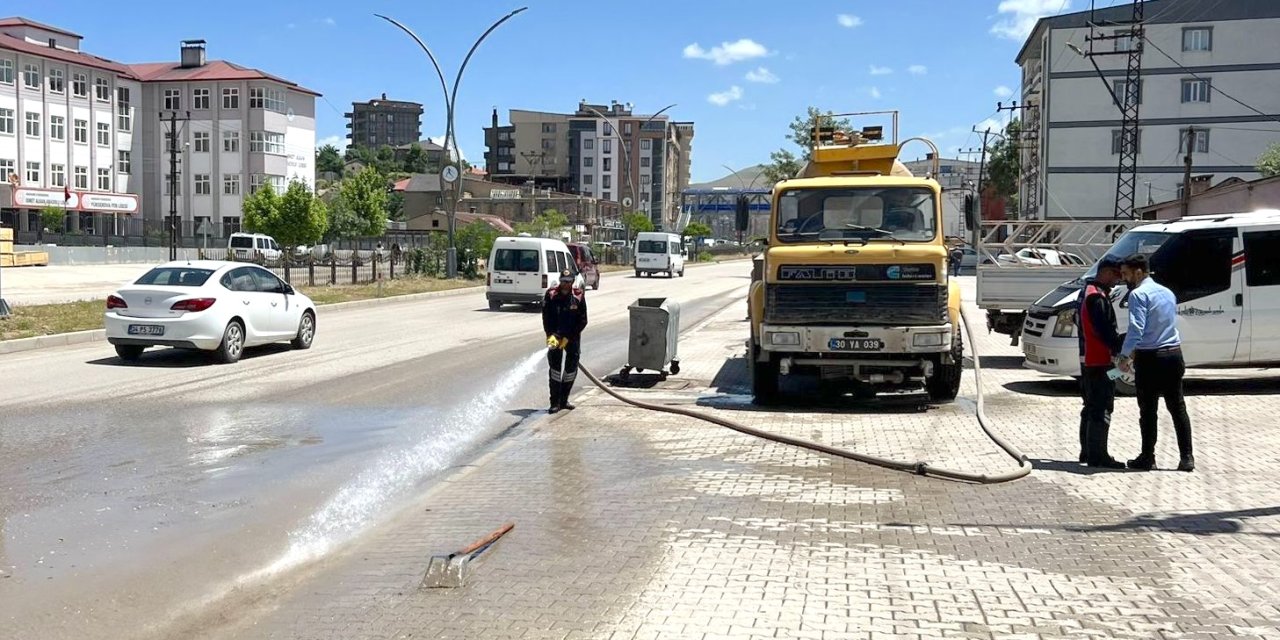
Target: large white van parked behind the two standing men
{"type": "Point", "coordinates": [1224, 269]}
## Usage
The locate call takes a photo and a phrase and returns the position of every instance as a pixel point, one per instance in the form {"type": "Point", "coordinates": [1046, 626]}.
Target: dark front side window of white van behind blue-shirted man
{"type": "Point", "coordinates": [1195, 264]}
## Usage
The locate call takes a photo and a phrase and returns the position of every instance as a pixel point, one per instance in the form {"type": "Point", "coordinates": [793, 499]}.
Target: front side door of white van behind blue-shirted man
{"type": "Point", "coordinates": [1197, 267]}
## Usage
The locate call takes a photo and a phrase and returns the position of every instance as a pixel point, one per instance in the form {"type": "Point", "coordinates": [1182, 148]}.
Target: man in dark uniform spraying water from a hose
{"type": "Point", "coordinates": [564, 321]}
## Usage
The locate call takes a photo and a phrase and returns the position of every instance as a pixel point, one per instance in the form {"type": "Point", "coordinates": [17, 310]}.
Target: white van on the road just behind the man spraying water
{"type": "Point", "coordinates": [523, 269]}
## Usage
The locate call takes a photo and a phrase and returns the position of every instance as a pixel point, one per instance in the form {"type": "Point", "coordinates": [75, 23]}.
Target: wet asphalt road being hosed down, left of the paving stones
{"type": "Point", "coordinates": [130, 493]}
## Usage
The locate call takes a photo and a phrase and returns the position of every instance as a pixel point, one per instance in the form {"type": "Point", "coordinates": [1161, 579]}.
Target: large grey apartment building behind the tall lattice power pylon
{"type": "Point", "coordinates": [1195, 56]}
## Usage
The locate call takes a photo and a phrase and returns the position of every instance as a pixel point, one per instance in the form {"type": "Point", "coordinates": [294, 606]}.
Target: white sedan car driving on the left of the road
{"type": "Point", "coordinates": [208, 305]}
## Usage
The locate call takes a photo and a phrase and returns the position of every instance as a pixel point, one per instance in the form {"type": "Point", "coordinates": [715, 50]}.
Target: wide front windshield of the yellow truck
{"type": "Point", "coordinates": [907, 214]}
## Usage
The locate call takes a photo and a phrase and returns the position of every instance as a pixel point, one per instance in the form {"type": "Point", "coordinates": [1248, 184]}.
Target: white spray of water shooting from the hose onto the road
{"type": "Point", "coordinates": [395, 473]}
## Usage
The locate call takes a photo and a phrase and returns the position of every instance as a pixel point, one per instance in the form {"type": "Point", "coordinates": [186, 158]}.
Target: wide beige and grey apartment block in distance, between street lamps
{"type": "Point", "coordinates": [602, 152]}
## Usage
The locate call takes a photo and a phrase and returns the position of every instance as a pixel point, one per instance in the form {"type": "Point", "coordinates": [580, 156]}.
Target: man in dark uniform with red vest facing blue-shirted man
{"type": "Point", "coordinates": [1100, 345]}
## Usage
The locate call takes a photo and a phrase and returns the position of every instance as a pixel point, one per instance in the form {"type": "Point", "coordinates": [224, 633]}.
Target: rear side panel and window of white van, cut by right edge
{"type": "Point", "coordinates": [1263, 295]}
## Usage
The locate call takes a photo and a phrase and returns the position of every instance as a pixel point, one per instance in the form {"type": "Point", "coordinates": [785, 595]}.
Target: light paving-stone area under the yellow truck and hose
{"type": "Point", "coordinates": [632, 524]}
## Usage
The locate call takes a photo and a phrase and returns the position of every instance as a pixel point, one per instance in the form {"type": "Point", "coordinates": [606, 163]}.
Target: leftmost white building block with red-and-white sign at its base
{"type": "Point", "coordinates": [68, 124]}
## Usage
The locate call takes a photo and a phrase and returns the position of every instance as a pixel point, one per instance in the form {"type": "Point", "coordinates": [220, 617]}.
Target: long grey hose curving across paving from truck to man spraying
{"type": "Point", "coordinates": [924, 469]}
